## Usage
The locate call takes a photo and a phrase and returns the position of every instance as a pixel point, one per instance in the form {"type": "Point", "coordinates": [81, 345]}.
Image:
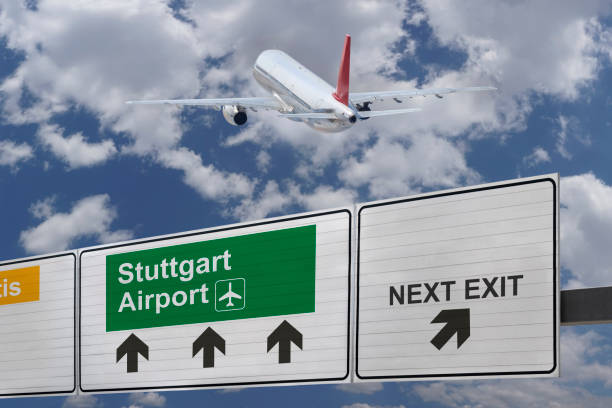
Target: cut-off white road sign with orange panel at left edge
{"type": "Point", "coordinates": [37, 345]}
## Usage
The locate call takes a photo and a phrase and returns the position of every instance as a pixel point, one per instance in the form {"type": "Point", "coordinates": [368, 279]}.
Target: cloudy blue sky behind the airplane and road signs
{"type": "Point", "coordinates": [78, 167]}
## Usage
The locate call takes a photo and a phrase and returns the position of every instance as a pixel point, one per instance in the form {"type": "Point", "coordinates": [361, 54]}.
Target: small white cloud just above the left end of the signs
{"type": "Point", "coordinates": [89, 217]}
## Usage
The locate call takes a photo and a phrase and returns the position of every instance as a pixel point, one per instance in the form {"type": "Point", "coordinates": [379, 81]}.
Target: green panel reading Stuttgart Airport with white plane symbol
{"type": "Point", "coordinates": [256, 275]}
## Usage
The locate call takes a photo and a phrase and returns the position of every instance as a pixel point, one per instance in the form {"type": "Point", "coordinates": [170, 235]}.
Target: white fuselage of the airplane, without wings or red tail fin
{"type": "Point", "coordinates": [299, 90]}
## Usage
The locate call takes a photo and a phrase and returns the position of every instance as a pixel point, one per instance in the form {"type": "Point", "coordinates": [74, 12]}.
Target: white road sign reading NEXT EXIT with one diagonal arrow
{"type": "Point", "coordinates": [461, 283]}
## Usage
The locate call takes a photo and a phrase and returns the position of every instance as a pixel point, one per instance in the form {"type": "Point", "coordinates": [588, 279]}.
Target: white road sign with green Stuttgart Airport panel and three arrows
{"type": "Point", "coordinates": [261, 303]}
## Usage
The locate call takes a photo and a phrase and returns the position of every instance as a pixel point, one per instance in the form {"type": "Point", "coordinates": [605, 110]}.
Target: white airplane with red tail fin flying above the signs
{"type": "Point", "coordinates": [300, 95]}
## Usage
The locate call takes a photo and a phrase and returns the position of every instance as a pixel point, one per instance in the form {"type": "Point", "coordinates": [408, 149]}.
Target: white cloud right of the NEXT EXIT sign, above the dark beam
{"type": "Point", "coordinates": [586, 222]}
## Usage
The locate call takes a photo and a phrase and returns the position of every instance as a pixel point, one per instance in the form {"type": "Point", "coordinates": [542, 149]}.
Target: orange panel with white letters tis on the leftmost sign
{"type": "Point", "coordinates": [20, 285]}
